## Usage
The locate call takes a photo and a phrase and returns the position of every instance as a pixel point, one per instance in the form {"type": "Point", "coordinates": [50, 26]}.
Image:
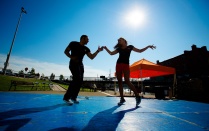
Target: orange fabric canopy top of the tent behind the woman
{"type": "Point", "coordinates": [144, 68]}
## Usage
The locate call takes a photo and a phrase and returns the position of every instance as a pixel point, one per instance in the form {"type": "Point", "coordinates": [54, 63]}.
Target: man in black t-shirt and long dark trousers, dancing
{"type": "Point", "coordinates": [76, 51]}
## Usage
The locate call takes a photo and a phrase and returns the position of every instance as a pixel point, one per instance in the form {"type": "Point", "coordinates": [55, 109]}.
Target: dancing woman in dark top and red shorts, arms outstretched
{"type": "Point", "coordinates": [122, 66]}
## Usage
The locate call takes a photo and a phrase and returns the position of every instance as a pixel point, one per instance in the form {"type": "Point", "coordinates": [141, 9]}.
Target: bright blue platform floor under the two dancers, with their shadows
{"type": "Point", "coordinates": [48, 112]}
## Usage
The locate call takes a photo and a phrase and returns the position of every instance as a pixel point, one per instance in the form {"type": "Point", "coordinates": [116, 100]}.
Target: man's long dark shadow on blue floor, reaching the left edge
{"type": "Point", "coordinates": [15, 124]}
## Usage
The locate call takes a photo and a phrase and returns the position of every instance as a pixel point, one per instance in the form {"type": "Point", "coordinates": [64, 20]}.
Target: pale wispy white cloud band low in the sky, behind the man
{"type": "Point", "coordinates": [17, 63]}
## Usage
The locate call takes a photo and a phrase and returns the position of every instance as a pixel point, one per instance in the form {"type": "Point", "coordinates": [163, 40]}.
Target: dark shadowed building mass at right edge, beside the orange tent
{"type": "Point", "coordinates": [192, 71]}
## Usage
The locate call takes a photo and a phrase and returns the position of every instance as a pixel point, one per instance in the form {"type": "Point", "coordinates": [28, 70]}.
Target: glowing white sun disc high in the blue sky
{"type": "Point", "coordinates": [135, 17]}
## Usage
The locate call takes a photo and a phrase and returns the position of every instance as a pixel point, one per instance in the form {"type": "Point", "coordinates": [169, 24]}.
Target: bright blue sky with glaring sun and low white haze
{"type": "Point", "coordinates": [49, 25]}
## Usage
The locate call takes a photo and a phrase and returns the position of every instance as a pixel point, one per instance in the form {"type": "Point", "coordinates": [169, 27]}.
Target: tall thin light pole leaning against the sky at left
{"type": "Point", "coordinates": [8, 55]}
